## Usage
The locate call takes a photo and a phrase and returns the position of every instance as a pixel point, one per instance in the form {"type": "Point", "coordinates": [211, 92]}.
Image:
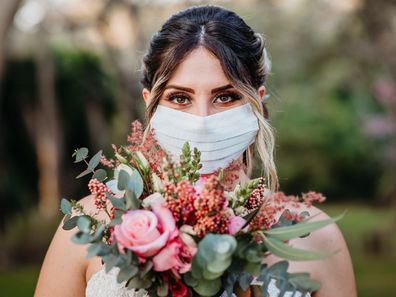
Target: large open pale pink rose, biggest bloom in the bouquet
{"type": "Point", "coordinates": [146, 232]}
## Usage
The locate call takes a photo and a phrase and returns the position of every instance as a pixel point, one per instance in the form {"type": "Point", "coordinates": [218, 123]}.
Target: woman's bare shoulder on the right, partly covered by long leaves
{"type": "Point", "coordinates": [335, 273]}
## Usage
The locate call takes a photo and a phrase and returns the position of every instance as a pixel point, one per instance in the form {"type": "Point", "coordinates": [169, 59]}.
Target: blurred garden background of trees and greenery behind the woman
{"type": "Point", "coordinates": [69, 77]}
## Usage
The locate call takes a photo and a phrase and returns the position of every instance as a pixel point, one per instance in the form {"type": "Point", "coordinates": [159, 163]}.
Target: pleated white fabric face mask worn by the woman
{"type": "Point", "coordinates": [221, 137]}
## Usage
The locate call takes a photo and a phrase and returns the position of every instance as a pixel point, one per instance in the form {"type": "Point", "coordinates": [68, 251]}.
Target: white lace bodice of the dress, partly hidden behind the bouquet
{"type": "Point", "coordinates": [103, 284]}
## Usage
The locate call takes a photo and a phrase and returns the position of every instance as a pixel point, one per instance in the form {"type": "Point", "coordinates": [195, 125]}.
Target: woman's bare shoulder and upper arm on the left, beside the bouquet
{"type": "Point", "coordinates": [64, 266]}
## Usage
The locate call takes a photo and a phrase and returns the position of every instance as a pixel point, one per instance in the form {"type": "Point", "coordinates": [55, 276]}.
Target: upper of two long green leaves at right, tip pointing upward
{"type": "Point", "coordinates": [299, 229]}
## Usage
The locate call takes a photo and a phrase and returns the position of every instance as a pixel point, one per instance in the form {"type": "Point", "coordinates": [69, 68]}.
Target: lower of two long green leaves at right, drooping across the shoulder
{"type": "Point", "coordinates": [283, 250]}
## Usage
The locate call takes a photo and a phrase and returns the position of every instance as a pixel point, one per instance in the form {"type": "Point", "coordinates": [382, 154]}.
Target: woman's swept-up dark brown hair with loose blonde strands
{"type": "Point", "coordinates": [243, 58]}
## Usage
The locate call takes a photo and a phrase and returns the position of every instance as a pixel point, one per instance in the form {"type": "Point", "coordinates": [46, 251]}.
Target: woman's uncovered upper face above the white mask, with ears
{"type": "Point", "coordinates": [199, 86]}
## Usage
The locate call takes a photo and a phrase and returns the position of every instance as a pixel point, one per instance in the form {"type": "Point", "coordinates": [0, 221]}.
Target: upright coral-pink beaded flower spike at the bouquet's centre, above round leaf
{"type": "Point", "coordinates": [210, 208]}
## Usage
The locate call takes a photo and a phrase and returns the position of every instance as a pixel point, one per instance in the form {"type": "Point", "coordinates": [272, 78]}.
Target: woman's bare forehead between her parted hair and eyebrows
{"type": "Point", "coordinates": [200, 68]}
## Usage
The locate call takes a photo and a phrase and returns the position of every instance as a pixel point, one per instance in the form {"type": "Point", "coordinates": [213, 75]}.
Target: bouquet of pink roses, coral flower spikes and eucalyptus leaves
{"type": "Point", "coordinates": [172, 232]}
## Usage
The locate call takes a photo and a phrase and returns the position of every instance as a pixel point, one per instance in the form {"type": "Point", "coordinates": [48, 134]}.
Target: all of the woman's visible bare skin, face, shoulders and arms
{"type": "Point", "coordinates": [66, 271]}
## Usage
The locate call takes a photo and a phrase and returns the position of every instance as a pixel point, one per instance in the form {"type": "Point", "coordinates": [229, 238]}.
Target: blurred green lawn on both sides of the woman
{"type": "Point", "coordinates": [375, 272]}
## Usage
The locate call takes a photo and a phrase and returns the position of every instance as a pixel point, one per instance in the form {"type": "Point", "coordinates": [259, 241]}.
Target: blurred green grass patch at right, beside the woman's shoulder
{"type": "Point", "coordinates": [362, 227]}
